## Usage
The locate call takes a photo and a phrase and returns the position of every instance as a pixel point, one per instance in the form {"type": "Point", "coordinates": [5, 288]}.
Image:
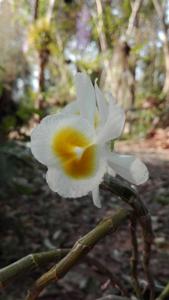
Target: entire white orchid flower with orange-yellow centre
{"type": "Point", "coordinates": [74, 144]}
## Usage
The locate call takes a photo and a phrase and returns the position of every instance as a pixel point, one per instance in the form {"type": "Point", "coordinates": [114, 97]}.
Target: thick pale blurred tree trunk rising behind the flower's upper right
{"type": "Point", "coordinates": [119, 78]}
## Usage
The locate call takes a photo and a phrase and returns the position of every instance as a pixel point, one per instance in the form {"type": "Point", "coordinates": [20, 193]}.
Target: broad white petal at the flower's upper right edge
{"type": "Point", "coordinates": [114, 124]}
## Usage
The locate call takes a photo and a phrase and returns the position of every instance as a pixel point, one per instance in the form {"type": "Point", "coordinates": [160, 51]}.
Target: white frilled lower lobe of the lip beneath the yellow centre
{"type": "Point", "coordinates": [70, 188]}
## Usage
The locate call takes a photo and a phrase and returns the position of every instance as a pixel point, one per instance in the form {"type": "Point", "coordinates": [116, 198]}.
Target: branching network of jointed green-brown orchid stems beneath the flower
{"type": "Point", "coordinates": [70, 257]}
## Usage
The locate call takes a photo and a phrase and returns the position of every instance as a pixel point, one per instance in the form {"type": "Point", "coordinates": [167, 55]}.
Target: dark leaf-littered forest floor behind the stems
{"type": "Point", "coordinates": [35, 219]}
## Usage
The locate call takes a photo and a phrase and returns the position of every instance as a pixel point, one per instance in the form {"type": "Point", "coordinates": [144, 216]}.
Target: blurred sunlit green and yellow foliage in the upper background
{"type": "Point", "coordinates": [52, 45]}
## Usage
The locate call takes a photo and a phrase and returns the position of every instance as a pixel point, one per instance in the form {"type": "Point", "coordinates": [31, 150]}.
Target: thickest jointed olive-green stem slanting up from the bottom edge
{"type": "Point", "coordinates": [79, 250]}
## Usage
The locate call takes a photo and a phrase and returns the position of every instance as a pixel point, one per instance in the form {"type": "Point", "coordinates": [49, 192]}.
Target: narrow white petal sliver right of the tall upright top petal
{"type": "Point", "coordinates": [102, 104]}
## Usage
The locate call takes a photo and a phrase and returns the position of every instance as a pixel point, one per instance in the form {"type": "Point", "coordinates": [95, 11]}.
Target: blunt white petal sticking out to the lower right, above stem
{"type": "Point", "coordinates": [129, 167]}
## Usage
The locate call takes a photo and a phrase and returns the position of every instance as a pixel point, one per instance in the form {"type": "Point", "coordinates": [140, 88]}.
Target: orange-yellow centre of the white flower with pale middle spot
{"type": "Point", "coordinates": [76, 153]}
